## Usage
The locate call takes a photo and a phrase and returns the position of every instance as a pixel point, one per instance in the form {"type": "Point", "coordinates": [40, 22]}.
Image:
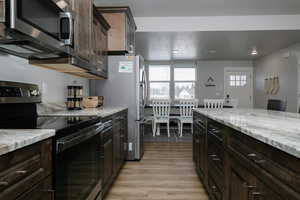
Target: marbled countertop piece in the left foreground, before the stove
{"type": "Point", "coordinates": [13, 139]}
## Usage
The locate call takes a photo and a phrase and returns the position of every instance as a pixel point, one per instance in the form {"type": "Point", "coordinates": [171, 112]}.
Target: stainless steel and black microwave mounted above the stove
{"type": "Point", "coordinates": [35, 28]}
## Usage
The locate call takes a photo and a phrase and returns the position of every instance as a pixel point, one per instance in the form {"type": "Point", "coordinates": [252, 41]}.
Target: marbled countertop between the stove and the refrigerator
{"type": "Point", "coordinates": [89, 112]}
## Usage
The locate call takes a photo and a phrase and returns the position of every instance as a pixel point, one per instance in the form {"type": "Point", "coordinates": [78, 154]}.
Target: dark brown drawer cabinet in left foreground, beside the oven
{"type": "Point", "coordinates": [26, 174]}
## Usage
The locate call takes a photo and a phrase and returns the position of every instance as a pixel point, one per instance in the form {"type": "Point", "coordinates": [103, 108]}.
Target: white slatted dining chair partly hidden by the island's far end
{"type": "Point", "coordinates": [186, 113]}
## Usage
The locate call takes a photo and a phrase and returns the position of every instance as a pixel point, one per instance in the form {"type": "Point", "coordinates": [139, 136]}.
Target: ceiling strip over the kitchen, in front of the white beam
{"type": "Point", "coordinates": [163, 8]}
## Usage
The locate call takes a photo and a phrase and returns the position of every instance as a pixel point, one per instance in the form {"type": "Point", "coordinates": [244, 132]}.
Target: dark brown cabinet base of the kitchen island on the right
{"type": "Point", "coordinates": [234, 166]}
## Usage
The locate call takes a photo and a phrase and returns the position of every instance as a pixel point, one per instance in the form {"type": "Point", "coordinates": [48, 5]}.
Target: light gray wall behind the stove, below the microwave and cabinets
{"type": "Point", "coordinates": [52, 83]}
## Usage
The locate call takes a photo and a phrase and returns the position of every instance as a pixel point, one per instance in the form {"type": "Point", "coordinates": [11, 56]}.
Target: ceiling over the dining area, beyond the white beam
{"type": "Point", "coordinates": [229, 45]}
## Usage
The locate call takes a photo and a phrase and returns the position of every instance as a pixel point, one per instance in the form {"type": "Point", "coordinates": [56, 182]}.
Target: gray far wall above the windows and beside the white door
{"type": "Point", "coordinates": [205, 69]}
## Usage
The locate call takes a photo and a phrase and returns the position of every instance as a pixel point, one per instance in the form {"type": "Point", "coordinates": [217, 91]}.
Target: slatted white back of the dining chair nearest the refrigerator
{"type": "Point", "coordinates": [161, 108]}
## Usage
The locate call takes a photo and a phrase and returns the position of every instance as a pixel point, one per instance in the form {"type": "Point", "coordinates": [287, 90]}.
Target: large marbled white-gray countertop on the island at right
{"type": "Point", "coordinates": [278, 129]}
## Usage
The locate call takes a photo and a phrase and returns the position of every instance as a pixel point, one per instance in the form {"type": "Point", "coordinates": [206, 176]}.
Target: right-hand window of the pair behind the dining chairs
{"type": "Point", "coordinates": [184, 82]}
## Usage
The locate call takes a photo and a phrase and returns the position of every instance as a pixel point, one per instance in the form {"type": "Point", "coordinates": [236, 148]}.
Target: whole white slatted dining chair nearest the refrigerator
{"type": "Point", "coordinates": [161, 114]}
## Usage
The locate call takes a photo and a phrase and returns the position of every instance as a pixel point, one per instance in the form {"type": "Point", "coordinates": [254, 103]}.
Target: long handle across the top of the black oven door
{"type": "Point", "coordinates": [69, 141]}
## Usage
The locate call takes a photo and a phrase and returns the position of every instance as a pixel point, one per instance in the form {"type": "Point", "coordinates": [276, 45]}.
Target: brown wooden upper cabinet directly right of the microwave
{"type": "Point", "coordinates": [88, 57]}
